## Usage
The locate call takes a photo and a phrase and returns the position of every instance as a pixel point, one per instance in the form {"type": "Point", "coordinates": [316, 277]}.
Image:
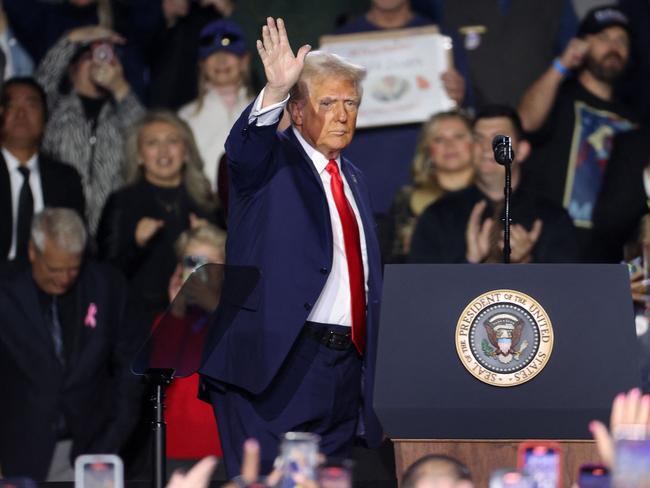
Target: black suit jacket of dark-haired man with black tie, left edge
{"type": "Point", "coordinates": [61, 188]}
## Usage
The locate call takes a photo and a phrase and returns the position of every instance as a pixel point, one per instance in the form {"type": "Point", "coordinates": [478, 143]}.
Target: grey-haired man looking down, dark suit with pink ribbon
{"type": "Point", "coordinates": [65, 350]}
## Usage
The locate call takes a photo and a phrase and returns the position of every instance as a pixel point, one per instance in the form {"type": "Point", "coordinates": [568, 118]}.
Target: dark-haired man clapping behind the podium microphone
{"type": "Point", "coordinates": [466, 226]}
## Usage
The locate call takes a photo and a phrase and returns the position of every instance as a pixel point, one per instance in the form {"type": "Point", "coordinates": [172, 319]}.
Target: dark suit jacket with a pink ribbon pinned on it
{"type": "Point", "coordinates": [96, 392]}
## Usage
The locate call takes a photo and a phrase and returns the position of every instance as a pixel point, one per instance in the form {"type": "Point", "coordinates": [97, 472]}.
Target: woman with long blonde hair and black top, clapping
{"type": "Point", "coordinates": [165, 194]}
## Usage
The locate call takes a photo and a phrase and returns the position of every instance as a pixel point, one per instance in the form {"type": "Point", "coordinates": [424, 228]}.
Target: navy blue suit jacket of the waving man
{"type": "Point", "coordinates": [278, 221]}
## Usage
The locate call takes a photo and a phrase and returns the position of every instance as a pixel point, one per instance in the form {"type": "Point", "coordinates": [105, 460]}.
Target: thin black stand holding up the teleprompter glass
{"type": "Point", "coordinates": [159, 379]}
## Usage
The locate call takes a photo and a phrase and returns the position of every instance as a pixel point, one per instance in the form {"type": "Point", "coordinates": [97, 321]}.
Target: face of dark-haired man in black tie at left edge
{"type": "Point", "coordinates": [23, 117]}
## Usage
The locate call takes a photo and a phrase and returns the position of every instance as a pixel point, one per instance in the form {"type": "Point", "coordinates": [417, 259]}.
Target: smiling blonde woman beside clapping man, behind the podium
{"type": "Point", "coordinates": [442, 163]}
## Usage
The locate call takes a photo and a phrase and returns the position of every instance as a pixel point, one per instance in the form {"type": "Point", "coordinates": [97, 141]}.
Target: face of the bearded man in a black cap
{"type": "Point", "coordinates": [608, 54]}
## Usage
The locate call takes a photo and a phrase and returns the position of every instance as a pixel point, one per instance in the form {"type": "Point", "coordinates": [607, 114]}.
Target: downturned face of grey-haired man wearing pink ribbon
{"type": "Point", "coordinates": [54, 270]}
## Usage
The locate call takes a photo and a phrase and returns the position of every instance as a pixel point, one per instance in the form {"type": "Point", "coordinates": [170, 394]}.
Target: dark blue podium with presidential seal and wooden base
{"type": "Point", "coordinates": [429, 402]}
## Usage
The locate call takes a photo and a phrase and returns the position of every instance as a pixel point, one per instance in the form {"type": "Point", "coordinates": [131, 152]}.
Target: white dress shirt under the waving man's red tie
{"type": "Point", "coordinates": [333, 305]}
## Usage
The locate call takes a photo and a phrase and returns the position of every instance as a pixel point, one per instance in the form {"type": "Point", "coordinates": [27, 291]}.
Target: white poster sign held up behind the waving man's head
{"type": "Point", "coordinates": [403, 82]}
